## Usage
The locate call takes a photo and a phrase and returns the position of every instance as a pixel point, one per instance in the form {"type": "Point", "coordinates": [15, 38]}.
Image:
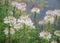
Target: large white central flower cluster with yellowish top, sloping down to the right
{"type": "Point", "coordinates": [26, 20]}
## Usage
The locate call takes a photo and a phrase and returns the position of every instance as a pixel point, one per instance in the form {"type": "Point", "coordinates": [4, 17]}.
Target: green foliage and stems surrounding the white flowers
{"type": "Point", "coordinates": [23, 35]}
